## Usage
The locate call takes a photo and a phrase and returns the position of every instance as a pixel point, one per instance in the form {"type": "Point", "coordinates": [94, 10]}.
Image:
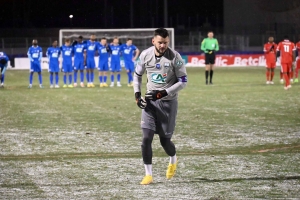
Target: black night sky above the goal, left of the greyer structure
{"type": "Point", "coordinates": [116, 13]}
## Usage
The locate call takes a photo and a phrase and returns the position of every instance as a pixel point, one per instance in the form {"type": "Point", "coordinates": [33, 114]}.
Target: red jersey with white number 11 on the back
{"type": "Point", "coordinates": [286, 49]}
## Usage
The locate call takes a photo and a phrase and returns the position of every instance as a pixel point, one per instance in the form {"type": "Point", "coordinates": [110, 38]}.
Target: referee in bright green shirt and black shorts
{"type": "Point", "coordinates": [209, 45]}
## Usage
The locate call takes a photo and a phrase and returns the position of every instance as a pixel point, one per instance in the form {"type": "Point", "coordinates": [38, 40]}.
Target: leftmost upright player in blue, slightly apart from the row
{"type": "Point", "coordinates": [35, 54]}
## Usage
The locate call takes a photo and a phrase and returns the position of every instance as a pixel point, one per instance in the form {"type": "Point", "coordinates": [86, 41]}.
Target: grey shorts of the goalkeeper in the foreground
{"type": "Point", "coordinates": [160, 116]}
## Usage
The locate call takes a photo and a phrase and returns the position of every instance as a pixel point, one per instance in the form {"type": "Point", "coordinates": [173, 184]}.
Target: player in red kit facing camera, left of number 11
{"type": "Point", "coordinates": [270, 55]}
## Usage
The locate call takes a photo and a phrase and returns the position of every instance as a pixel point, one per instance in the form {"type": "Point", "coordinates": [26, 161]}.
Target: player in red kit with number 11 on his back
{"type": "Point", "coordinates": [286, 49]}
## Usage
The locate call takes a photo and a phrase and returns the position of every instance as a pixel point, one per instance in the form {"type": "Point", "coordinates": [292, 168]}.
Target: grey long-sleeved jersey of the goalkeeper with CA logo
{"type": "Point", "coordinates": [163, 73]}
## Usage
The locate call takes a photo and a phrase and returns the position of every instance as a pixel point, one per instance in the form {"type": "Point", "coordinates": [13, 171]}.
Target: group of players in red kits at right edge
{"type": "Point", "coordinates": [288, 58]}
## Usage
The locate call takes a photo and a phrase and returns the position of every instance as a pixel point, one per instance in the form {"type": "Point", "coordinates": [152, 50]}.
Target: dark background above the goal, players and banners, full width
{"type": "Point", "coordinates": [241, 26]}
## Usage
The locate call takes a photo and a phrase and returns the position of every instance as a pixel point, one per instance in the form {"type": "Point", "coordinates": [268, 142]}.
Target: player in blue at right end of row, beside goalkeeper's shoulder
{"type": "Point", "coordinates": [130, 53]}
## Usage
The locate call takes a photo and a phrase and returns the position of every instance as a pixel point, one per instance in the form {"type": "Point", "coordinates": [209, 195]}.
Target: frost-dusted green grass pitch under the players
{"type": "Point", "coordinates": [237, 139]}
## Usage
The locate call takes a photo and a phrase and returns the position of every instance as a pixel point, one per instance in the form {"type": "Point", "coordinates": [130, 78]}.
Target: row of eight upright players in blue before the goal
{"type": "Point", "coordinates": [84, 58]}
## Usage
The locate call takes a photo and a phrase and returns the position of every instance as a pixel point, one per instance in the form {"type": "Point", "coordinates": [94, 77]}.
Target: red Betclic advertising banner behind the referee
{"type": "Point", "coordinates": [229, 60]}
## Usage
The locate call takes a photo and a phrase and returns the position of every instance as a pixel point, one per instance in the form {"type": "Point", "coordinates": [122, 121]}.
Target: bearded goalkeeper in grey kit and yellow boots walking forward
{"type": "Point", "coordinates": [166, 75]}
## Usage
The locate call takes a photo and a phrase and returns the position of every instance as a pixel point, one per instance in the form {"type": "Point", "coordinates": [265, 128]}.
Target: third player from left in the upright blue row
{"type": "Point", "coordinates": [67, 52]}
